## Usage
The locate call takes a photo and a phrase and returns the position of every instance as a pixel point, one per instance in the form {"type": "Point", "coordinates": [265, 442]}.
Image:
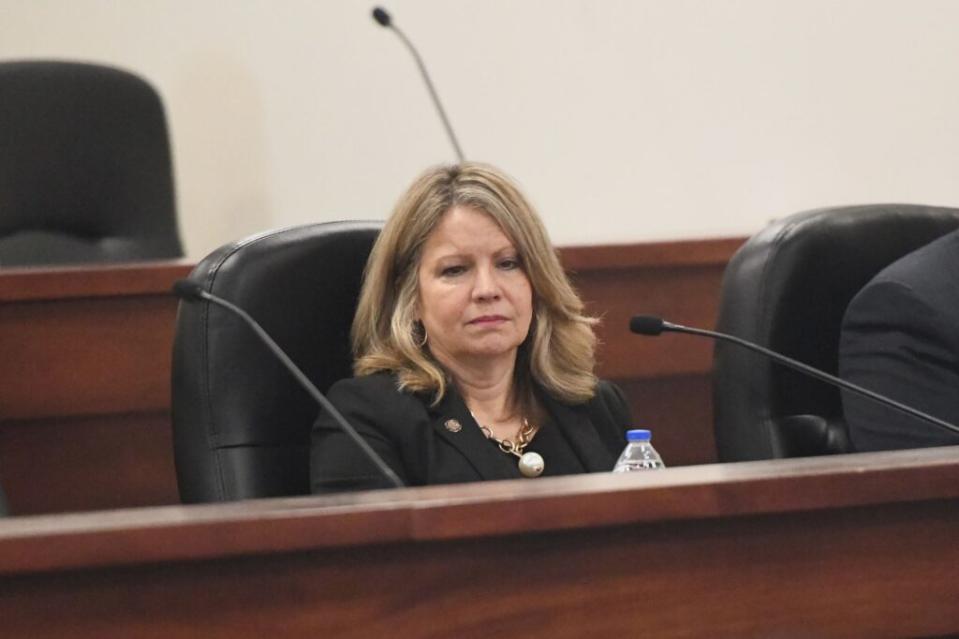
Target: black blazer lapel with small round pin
{"type": "Point", "coordinates": [469, 440]}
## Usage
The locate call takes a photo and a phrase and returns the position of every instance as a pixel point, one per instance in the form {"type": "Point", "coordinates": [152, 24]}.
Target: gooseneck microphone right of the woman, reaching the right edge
{"type": "Point", "coordinates": [649, 325]}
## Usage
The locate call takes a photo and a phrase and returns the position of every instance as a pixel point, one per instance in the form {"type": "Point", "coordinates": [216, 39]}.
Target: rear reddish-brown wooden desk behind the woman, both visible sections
{"type": "Point", "coordinates": [85, 368]}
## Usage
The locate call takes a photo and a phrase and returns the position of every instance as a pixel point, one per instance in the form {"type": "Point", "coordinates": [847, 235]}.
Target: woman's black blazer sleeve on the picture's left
{"type": "Point", "coordinates": [373, 407]}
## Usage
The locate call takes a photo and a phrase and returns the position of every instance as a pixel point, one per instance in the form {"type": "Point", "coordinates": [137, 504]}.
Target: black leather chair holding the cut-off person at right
{"type": "Point", "coordinates": [787, 289]}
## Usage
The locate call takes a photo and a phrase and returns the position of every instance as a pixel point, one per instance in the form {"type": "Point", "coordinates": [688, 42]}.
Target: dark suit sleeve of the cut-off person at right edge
{"type": "Point", "coordinates": [895, 343]}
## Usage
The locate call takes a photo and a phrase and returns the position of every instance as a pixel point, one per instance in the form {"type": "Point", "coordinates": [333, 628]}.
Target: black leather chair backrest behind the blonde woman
{"type": "Point", "coordinates": [241, 423]}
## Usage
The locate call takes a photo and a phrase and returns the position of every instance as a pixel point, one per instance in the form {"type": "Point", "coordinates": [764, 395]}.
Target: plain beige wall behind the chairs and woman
{"type": "Point", "coordinates": [624, 120]}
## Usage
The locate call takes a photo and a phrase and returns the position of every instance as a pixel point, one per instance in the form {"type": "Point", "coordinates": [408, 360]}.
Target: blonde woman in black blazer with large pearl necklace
{"type": "Point", "coordinates": [473, 355]}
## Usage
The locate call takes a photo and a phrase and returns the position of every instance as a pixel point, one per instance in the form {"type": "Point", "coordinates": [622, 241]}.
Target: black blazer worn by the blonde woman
{"type": "Point", "coordinates": [413, 439]}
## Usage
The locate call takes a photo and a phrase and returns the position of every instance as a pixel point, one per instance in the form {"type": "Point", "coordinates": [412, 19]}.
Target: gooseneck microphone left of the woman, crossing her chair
{"type": "Point", "coordinates": [190, 291]}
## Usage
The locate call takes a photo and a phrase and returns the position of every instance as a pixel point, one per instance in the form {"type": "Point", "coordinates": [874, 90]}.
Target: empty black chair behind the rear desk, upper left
{"type": "Point", "coordinates": [85, 170]}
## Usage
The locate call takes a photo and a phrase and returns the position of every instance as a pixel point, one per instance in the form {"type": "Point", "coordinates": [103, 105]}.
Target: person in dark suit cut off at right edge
{"type": "Point", "coordinates": [900, 338]}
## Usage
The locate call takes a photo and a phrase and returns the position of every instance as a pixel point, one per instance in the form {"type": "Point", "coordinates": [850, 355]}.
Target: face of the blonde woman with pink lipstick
{"type": "Point", "coordinates": [475, 300]}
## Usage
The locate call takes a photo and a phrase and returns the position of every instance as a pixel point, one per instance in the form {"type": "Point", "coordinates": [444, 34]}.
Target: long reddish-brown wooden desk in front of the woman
{"type": "Point", "coordinates": [860, 545]}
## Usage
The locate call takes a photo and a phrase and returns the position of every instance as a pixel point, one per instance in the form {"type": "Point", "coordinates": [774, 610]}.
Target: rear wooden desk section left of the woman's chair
{"type": "Point", "coordinates": [85, 386]}
